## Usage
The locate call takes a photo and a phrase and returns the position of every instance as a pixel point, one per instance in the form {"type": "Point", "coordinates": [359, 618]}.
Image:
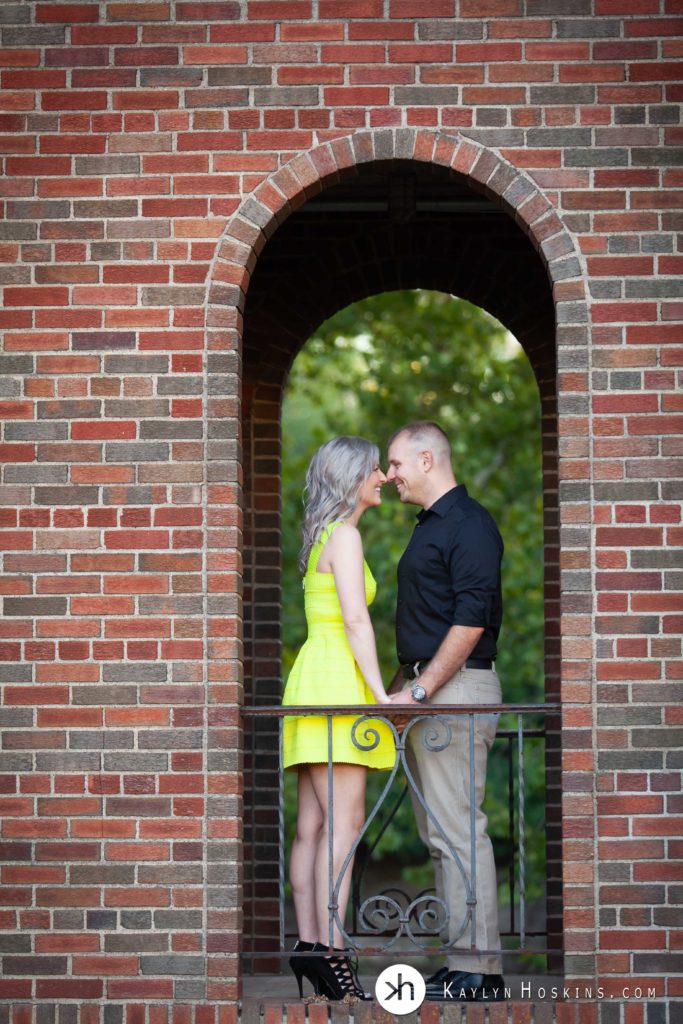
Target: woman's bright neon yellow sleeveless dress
{"type": "Point", "coordinates": [327, 673]}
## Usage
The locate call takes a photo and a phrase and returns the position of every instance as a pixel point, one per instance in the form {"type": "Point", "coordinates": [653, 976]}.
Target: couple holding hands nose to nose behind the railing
{"type": "Point", "coordinates": [448, 621]}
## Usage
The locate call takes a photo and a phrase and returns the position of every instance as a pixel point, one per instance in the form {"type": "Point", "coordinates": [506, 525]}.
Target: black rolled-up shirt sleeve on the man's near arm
{"type": "Point", "coordinates": [475, 566]}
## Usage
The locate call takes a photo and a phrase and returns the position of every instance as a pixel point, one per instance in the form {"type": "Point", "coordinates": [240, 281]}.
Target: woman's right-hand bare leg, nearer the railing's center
{"type": "Point", "coordinates": [350, 815]}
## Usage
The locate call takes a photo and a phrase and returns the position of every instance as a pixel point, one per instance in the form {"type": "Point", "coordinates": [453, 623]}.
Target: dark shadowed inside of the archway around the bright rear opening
{"type": "Point", "coordinates": [393, 225]}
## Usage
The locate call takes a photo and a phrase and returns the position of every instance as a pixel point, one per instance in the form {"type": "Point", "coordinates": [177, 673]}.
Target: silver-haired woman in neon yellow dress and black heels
{"type": "Point", "coordinates": [337, 665]}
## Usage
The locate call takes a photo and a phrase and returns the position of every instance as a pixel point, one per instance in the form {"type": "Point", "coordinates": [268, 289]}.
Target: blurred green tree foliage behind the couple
{"type": "Point", "coordinates": [386, 362]}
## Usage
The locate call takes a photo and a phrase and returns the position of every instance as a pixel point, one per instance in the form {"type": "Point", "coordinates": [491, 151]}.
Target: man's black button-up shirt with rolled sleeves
{"type": "Point", "coordinates": [450, 575]}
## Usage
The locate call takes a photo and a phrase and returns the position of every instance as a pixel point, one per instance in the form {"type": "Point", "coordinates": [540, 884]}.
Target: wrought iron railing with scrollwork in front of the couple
{"type": "Point", "coordinates": [393, 915]}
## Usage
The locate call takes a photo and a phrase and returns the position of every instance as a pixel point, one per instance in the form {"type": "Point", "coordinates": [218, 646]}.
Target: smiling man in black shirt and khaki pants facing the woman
{"type": "Point", "coordinates": [448, 621]}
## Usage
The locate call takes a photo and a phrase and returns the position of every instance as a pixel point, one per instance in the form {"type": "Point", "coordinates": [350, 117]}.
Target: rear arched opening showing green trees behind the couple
{"type": "Point", "coordinates": [385, 361]}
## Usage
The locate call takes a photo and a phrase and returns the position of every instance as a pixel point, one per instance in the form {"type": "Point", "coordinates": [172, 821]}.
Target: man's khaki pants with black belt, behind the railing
{"type": "Point", "coordinates": [444, 780]}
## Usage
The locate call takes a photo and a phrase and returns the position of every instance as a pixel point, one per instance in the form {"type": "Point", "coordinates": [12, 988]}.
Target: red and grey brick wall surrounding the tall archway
{"type": "Point", "coordinates": [151, 154]}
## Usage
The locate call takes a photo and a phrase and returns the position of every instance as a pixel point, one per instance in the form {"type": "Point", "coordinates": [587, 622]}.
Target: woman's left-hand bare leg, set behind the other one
{"type": "Point", "coordinates": [305, 852]}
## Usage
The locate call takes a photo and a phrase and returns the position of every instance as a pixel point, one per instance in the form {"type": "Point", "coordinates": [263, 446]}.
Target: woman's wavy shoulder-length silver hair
{"type": "Point", "coordinates": [335, 477]}
